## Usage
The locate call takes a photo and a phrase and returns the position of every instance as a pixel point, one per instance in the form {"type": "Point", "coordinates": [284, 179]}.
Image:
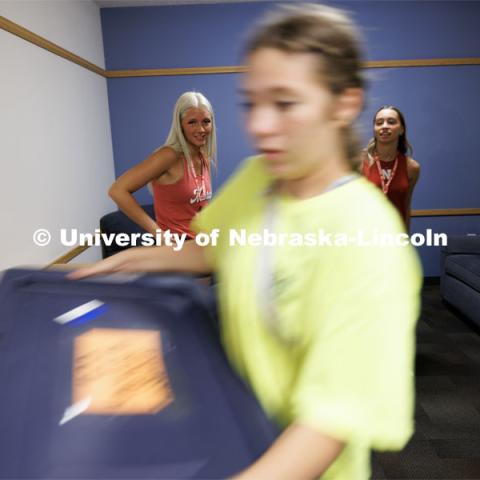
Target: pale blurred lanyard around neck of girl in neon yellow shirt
{"type": "Point", "coordinates": [265, 277]}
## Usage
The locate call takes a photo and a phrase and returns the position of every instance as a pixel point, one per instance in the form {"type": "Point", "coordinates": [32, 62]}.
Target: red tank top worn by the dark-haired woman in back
{"type": "Point", "coordinates": [398, 188]}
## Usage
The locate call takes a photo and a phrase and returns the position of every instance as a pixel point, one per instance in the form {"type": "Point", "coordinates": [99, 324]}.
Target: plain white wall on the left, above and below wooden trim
{"type": "Point", "coordinates": [56, 159]}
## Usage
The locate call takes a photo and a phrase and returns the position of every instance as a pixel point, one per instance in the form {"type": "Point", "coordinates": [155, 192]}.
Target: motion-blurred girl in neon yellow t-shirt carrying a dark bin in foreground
{"type": "Point", "coordinates": [324, 335]}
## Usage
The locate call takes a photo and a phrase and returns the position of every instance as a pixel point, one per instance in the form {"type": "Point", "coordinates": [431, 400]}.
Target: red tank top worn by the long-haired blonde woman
{"type": "Point", "coordinates": [176, 204]}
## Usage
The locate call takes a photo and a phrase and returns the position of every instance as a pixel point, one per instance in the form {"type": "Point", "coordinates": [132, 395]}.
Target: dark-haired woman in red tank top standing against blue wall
{"type": "Point", "coordinates": [386, 162]}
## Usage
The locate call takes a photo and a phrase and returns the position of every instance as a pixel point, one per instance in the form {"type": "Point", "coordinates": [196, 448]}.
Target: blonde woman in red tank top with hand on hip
{"type": "Point", "coordinates": [178, 173]}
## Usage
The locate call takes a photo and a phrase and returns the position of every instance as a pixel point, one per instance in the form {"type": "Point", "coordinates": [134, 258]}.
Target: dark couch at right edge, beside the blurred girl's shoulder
{"type": "Point", "coordinates": [460, 279]}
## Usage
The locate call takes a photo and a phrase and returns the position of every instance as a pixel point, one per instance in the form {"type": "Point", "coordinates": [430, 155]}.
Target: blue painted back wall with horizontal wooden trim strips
{"type": "Point", "coordinates": [441, 104]}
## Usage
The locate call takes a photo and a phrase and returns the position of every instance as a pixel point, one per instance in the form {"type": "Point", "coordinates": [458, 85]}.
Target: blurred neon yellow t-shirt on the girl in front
{"type": "Point", "coordinates": [340, 355]}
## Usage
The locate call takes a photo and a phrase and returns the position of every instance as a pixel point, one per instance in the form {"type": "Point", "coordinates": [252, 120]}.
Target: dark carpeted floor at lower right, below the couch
{"type": "Point", "coordinates": [446, 444]}
